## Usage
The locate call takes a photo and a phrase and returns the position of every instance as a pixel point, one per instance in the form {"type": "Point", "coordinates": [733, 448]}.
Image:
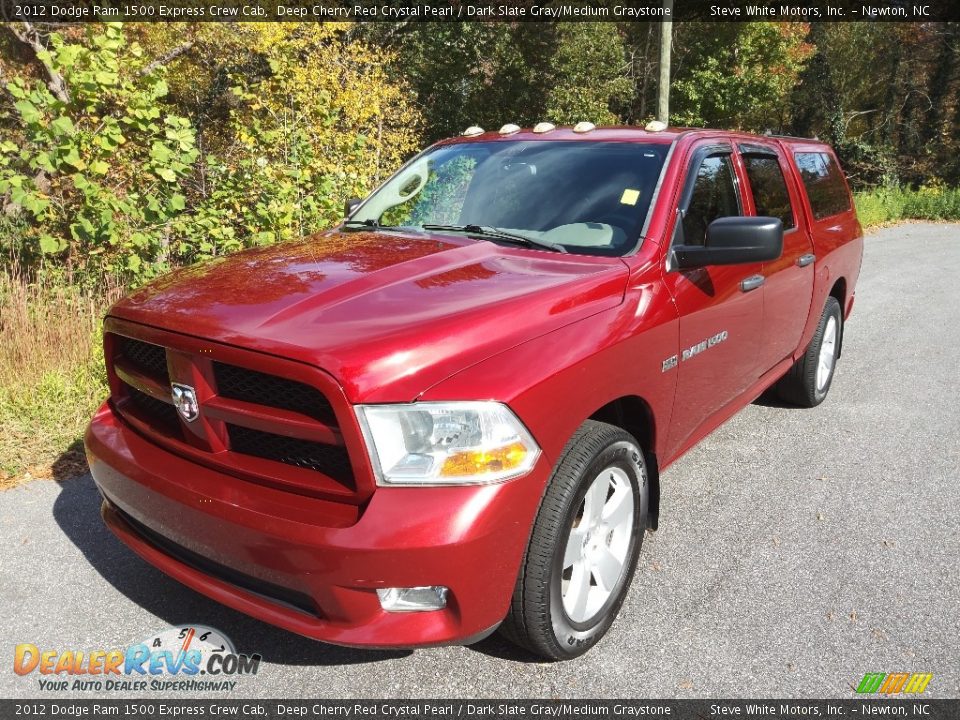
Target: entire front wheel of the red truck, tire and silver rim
{"type": "Point", "coordinates": [560, 609]}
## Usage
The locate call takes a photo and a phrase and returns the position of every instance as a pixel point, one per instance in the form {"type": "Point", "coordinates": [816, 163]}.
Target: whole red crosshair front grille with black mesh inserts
{"type": "Point", "coordinates": [221, 436]}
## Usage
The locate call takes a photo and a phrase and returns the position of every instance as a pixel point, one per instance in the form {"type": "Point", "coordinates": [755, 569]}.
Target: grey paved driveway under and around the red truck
{"type": "Point", "coordinates": [797, 550]}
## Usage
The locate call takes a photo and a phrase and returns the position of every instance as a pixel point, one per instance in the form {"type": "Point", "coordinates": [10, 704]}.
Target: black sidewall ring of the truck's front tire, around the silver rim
{"type": "Point", "coordinates": [572, 638]}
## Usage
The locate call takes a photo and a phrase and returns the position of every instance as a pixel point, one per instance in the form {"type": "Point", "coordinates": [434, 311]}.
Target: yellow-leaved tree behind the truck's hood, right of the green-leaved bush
{"type": "Point", "coordinates": [297, 118]}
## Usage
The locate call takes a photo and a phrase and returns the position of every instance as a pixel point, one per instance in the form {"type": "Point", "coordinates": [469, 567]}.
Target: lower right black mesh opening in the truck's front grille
{"type": "Point", "coordinates": [331, 460]}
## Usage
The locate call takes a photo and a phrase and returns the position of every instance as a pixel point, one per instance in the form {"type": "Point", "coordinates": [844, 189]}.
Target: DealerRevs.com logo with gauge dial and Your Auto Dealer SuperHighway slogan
{"type": "Point", "coordinates": [189, 658]}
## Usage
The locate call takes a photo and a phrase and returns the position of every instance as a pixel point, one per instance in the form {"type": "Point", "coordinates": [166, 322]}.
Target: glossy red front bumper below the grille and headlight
{"type": "Point", "coordinates": [309, 565]}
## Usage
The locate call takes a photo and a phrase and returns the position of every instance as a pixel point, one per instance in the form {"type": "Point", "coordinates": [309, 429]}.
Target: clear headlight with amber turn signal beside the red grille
{"type": "Point", "coordinates": [454, 443]}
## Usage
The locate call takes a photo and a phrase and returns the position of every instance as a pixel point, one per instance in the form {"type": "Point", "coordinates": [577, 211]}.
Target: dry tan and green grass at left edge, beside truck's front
{"type": "Point", "coordinates": [51, 375]}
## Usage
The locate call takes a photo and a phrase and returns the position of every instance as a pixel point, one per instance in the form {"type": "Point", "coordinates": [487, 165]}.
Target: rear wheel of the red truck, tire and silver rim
{"type": "Point", "coordinates": [808, 381]}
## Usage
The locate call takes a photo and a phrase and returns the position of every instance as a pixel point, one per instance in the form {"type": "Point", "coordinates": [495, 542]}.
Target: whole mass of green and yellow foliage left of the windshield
{"type": "Point", "coordinates": [110, 179]}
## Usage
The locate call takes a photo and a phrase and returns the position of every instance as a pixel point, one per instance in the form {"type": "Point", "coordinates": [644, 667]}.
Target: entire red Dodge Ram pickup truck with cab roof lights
{"type": "Point", "coordinates": [450, 413]}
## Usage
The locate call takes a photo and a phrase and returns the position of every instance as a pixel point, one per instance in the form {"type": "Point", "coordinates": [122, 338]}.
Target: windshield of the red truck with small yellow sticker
{"type": "Point", "coordinates": [589, 197]}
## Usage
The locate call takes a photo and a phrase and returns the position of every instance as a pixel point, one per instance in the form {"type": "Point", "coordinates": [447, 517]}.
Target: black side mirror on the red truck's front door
{"type": "Point", "coordinates": [733, 240]}
